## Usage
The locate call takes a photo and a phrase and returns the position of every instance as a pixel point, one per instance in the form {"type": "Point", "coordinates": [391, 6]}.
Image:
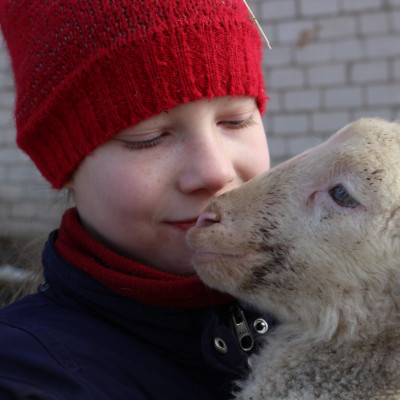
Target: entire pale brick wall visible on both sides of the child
{"type": "Point", "coordinates": [332, 61]}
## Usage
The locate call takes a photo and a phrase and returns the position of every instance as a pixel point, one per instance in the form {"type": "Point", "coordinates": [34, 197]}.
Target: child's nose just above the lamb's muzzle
{"type": "Point", "coordinates": [209, 166]}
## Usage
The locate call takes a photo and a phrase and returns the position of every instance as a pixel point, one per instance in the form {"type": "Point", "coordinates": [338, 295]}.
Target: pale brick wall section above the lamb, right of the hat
{"type": "Point", "coordinates": [332, 61]}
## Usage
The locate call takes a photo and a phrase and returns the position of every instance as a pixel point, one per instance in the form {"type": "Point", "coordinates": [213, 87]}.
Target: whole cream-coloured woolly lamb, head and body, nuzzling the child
{"type": "Point", "coordinates": [316, 241]}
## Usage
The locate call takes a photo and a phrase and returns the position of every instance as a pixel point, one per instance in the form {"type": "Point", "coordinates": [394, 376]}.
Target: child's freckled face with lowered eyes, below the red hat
{"type": "Point", "coordinates": [142, 190]}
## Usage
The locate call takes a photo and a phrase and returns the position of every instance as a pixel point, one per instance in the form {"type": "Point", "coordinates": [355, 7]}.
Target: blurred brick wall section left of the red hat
{"type": "Point", "coordinates": [28, 205]}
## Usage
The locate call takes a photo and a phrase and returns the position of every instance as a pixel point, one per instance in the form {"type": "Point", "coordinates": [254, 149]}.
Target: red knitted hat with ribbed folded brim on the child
{"type": "Point", "coordinates": [85, 69]}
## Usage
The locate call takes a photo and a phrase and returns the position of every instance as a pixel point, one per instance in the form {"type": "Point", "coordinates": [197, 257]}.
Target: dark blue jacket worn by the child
{"type": "Point", "coordinates": [76, 339]}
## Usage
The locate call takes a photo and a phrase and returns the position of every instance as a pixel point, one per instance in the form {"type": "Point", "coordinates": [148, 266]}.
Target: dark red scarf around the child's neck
{"type": "Point", "coordinates": [128, 277]}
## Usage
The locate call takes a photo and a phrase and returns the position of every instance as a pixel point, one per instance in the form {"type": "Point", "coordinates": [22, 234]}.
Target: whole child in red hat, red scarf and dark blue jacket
{"type": "Point", "coordinates": [145, 111]}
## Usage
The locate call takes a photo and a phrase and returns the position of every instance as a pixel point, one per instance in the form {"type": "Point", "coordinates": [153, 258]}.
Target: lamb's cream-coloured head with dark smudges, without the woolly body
{"type": "Point", "coordinates": [313, 231]}
